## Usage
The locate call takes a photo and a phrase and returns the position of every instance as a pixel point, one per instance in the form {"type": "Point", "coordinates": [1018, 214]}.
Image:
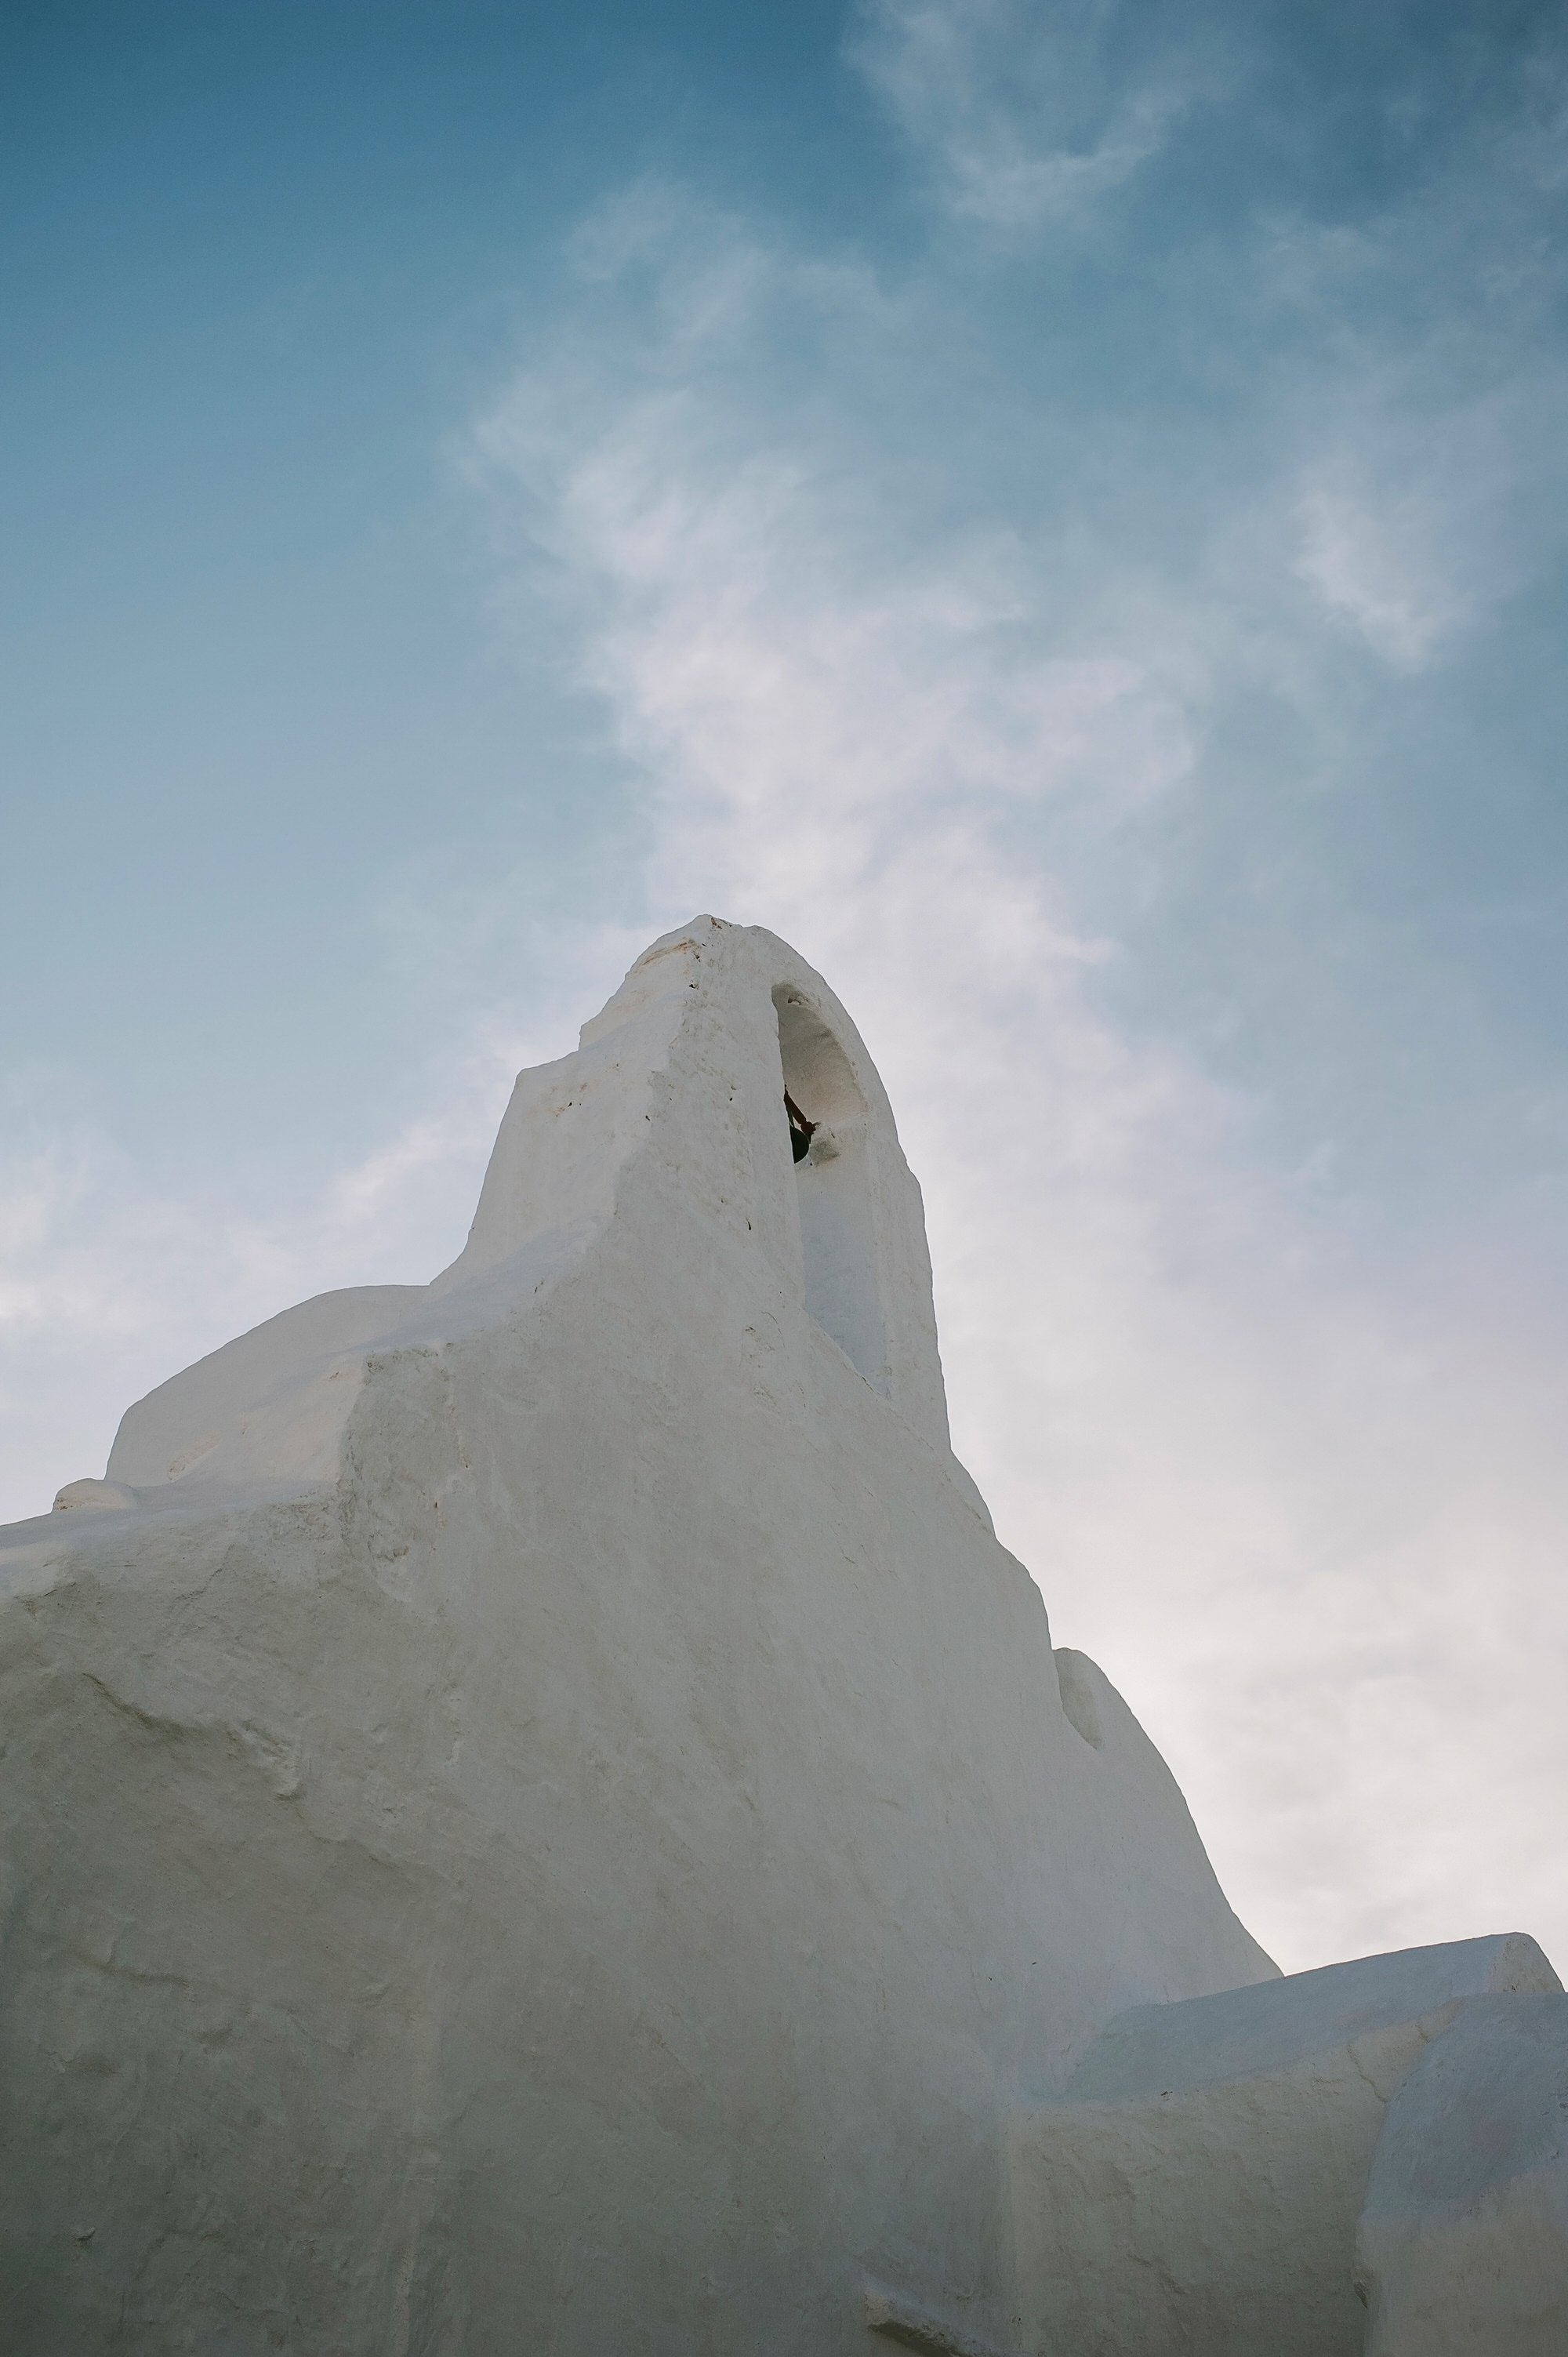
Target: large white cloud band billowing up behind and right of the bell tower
{"type": "Point", "coordinates": [1305, 1521]}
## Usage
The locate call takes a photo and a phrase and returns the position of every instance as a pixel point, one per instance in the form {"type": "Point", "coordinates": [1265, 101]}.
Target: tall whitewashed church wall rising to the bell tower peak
{"type": "Point", "coordinates": [539, 1816]}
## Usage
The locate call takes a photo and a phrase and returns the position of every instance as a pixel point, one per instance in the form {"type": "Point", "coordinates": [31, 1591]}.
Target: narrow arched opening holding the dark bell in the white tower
{"type": "Point", "coordinates": [826, 1130]}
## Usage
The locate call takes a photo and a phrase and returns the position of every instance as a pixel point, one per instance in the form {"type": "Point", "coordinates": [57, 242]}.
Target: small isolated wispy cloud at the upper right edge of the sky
{"type": "Point", "coordinates": [1430, 473]}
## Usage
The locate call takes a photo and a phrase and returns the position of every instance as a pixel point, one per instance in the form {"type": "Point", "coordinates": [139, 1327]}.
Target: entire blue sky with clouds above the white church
{"type": "Point", "coordinates": [1058, 510]}
